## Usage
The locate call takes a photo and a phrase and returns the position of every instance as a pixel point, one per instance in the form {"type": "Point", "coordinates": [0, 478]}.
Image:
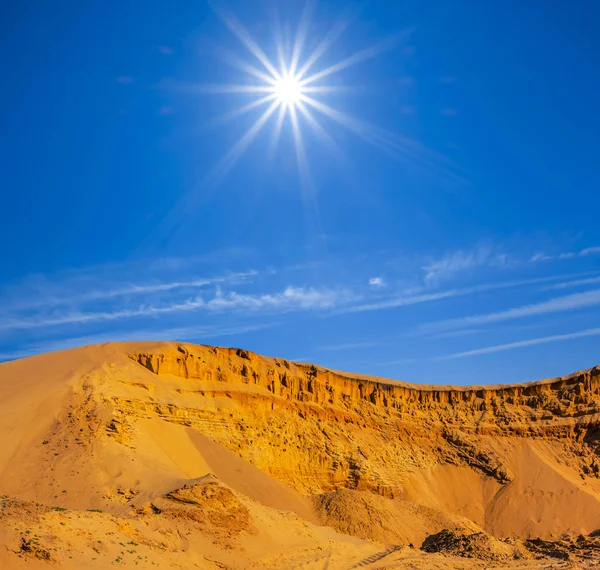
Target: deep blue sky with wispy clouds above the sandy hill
{"type": "Point", "coordinates": [431, 218]}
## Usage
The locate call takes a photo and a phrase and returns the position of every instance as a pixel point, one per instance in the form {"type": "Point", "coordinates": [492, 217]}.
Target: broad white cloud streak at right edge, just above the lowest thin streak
{"type": "Point", "coordinates": [558, 304]}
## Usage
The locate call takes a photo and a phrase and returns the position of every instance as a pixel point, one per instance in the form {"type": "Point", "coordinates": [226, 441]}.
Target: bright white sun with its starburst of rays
{"type": "Point", "coordinates": [291, 88]}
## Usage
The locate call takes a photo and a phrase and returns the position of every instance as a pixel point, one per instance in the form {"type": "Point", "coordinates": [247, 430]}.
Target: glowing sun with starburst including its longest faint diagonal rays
{"type": "Point", "coordinates": [290, 88]}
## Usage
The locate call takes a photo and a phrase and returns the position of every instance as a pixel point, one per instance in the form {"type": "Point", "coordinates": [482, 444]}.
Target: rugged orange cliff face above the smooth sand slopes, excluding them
{"type": "Point", "coordinates": [317, 430]}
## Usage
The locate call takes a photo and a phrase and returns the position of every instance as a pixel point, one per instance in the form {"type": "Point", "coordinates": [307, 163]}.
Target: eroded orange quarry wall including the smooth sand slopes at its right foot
{"type": "Point", "coordinates": [516, 453]}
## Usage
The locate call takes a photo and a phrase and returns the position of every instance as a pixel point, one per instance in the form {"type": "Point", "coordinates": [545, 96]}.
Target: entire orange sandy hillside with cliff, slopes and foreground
{"type": "Point", "coordinates": [186, 456]}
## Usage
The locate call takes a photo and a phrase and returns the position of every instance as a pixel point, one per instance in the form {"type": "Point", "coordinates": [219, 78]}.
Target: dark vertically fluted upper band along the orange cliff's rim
{"type": "Point", "coordinates": [574, 396]}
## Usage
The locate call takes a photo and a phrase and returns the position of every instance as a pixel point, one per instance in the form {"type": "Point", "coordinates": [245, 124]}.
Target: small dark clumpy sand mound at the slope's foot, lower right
{"type": "Point", "coordinates": [462, 542]}
